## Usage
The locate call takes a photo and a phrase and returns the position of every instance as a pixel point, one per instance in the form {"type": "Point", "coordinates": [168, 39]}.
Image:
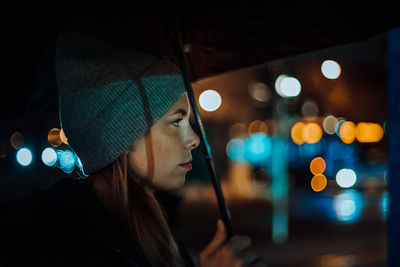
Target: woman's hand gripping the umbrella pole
{"type": "Point", "coordinates": [231, 253]}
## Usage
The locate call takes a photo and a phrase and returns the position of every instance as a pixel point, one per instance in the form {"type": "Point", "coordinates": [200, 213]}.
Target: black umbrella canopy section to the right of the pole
{"type": "Point", "coordinates": [243, 36]}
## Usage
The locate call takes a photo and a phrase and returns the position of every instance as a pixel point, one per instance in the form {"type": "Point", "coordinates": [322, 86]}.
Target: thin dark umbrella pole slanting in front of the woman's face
{"type": "Point", "coordinates": [224, 212]}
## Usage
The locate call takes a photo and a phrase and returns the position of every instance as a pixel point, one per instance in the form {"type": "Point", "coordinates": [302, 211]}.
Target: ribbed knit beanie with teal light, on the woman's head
{"type": "Point", "coordinates": [109, 96]}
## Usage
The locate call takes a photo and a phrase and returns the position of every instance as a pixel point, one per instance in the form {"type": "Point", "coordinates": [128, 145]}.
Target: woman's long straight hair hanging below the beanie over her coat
{"type": "Point", "coordinates": [140, 212]}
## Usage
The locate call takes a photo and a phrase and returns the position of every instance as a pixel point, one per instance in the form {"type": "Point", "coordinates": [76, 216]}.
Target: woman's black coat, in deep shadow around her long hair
{"type": "Point", "coordinates": [67, 225]}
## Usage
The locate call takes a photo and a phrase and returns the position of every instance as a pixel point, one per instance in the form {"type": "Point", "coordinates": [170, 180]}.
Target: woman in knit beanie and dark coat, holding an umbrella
{"type": "Point", "coordinates": [126, 115]}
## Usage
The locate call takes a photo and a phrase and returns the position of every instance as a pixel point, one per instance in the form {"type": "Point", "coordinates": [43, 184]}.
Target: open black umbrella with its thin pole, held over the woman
{"type": "Point", "coordinates": [204, 40]}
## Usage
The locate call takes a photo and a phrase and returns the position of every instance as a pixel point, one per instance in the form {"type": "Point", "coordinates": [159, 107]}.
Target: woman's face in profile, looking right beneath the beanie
{"type": "Point", "coordinates": [160, 156]}
